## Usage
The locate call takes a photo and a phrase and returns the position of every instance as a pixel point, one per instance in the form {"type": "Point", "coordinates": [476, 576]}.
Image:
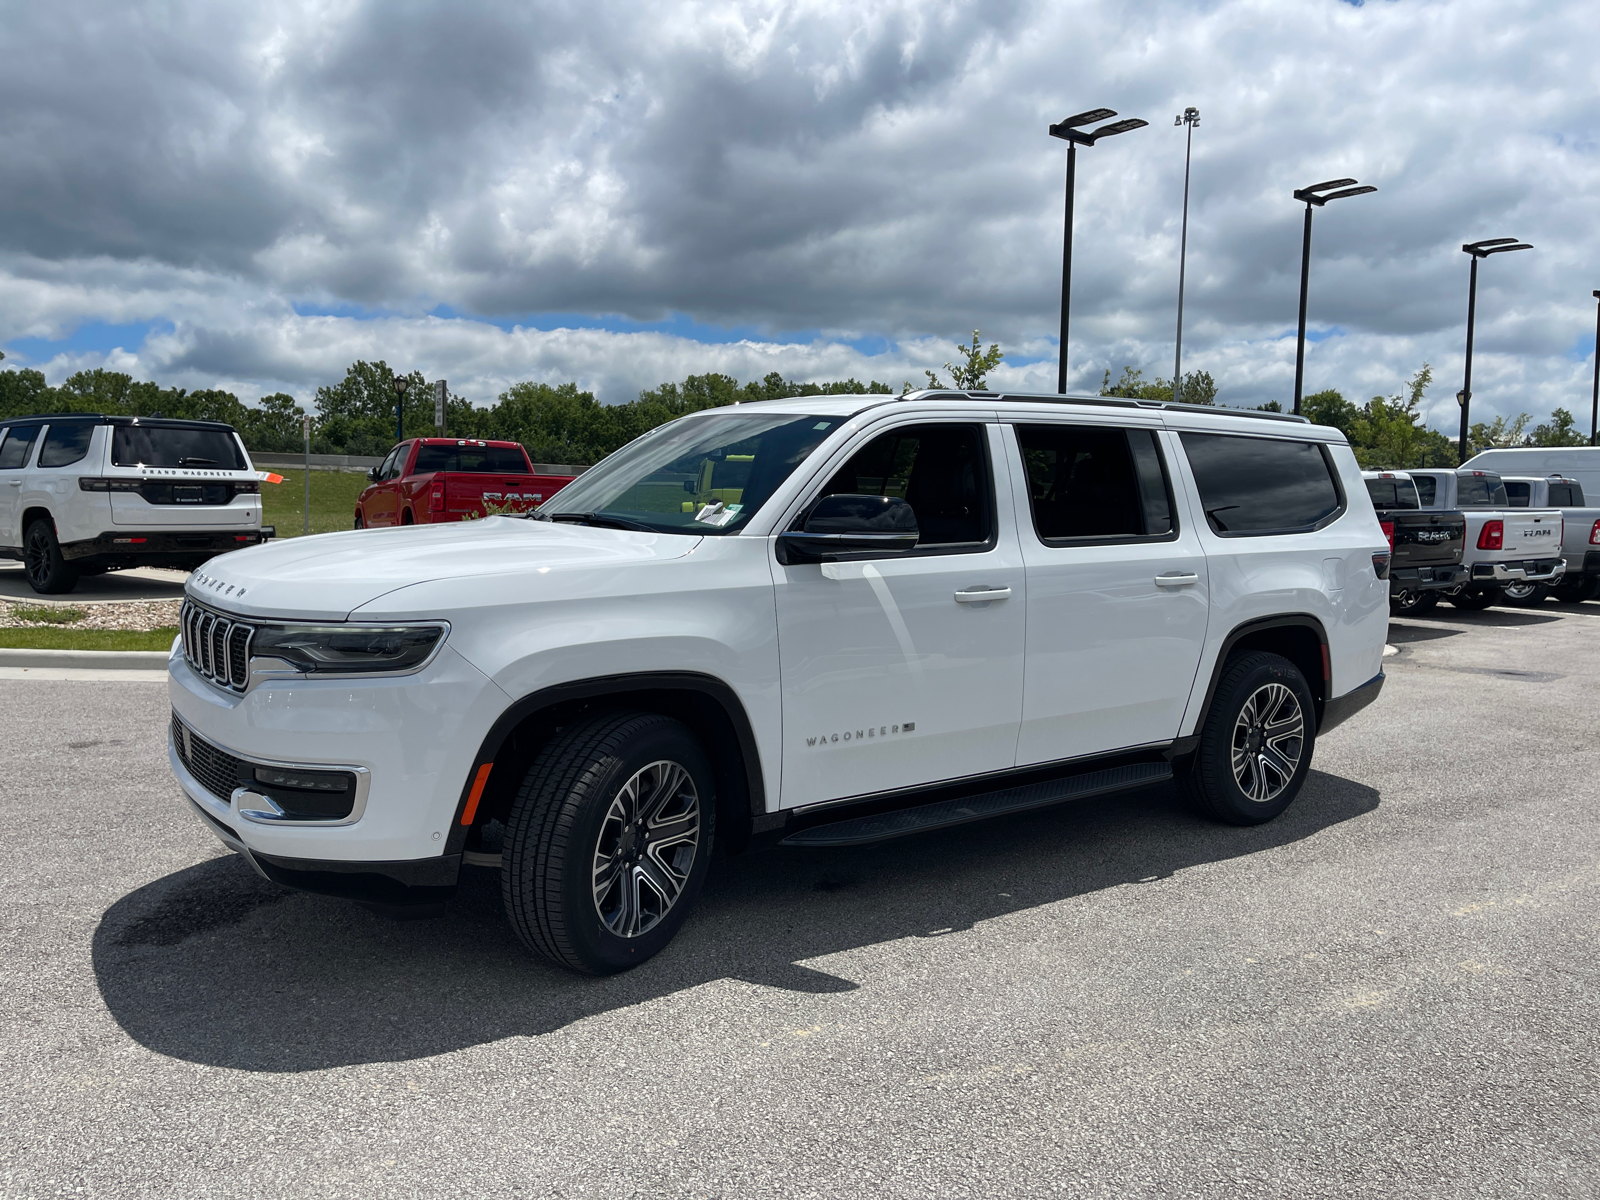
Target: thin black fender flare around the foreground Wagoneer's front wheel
{"type": "Point", "coordinates": [601, 687]}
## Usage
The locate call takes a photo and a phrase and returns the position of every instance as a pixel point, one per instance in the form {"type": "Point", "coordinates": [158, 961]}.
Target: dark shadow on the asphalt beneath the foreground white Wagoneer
{"type": "Point", "coordinates": [215, 966]}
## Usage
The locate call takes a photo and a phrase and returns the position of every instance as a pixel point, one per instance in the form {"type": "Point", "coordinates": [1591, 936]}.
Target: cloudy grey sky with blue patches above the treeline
{"type": "Point", "coordinates": [252, 196]}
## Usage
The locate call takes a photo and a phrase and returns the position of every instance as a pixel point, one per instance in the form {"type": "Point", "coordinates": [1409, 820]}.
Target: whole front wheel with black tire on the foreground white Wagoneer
{"type": "Point", "coordinates": [572, 806]}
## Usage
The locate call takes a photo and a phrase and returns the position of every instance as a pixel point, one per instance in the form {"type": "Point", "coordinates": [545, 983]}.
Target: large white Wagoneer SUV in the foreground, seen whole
{"type": "Point", "coordinates": [823, 622]}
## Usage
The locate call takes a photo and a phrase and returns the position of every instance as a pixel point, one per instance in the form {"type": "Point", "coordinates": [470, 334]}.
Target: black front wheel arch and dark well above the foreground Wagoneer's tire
{"type": "Point", "coordinates": [706, 705]}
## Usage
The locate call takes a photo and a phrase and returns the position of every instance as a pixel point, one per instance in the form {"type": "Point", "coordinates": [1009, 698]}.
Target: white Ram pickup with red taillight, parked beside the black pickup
{"type": "Point", "coordinates": [1505, 545]}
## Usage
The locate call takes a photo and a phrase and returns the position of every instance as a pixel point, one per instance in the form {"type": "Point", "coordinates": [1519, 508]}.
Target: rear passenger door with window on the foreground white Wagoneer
{"type": "Point", "coordinates": [1116, 590]}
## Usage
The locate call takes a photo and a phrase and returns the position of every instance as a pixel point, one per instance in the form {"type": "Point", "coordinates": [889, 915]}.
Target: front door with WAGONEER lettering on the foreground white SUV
{"type": "Point", "coordinates": [898, 671]}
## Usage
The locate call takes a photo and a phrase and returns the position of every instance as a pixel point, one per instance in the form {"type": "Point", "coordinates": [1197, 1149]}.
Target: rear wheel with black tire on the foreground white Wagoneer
{"type": "Point", "coordinates": [1255, 786]}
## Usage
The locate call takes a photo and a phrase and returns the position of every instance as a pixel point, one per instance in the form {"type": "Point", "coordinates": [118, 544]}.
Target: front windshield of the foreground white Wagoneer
{"type": "Point", "coordinates": [703, 474]}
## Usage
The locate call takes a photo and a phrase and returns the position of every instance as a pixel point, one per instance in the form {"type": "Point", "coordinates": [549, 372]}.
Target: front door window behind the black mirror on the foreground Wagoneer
{"type": "Point", "coordinates": [942, 471]}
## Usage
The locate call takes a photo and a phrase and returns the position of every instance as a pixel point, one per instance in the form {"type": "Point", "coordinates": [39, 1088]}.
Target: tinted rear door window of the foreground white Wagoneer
{"type": "Point", "coordinates": [1095, 482]}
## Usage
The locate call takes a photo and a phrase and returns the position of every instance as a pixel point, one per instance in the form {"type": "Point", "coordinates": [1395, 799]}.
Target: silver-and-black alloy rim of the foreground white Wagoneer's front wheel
{"type": "Point", "coordinates": [647, 849]}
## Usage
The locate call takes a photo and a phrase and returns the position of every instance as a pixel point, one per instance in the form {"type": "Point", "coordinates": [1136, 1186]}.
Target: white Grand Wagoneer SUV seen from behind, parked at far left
{"type": "Point", "coordinates": [82, 495]}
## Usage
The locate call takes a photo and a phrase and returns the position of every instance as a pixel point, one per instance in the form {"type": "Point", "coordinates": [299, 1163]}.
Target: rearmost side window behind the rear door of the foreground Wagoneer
{"type": "Point", "coordinates": [1257, 486]}
